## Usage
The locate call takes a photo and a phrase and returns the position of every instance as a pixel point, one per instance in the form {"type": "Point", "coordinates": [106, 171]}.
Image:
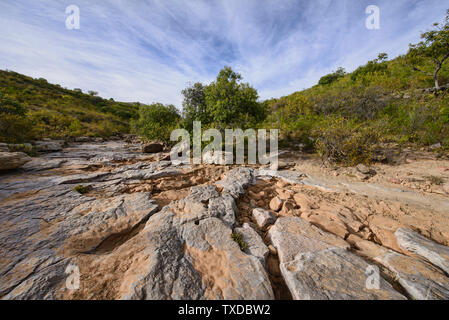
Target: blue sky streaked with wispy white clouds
{"type": "Point", "coordinates": [148, 51]}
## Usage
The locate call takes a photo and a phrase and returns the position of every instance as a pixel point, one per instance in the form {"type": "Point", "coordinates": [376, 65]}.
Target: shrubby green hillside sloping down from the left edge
{"type": "Point", "coordinates": [56, 112]}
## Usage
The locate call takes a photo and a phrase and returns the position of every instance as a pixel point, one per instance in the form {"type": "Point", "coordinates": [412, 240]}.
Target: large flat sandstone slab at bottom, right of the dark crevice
{"type": "Point", "coordinates": [316, 264]}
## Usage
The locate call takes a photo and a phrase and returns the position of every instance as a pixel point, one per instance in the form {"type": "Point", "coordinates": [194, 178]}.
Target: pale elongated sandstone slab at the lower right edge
{"type": "Point", "coordinates": [415, 243]}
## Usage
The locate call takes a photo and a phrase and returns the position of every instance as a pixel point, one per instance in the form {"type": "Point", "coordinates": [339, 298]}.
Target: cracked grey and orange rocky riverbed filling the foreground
{"type": "Point", "coordinates": [144, 228]}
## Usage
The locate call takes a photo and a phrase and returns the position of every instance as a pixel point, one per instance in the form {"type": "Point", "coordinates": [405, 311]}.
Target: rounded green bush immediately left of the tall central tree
{"type": "Point", "coordinates": [156, 122]}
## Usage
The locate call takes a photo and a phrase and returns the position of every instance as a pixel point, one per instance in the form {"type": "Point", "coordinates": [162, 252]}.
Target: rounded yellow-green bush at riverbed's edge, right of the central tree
{"type": "Point", "coordinates": [345, 143]}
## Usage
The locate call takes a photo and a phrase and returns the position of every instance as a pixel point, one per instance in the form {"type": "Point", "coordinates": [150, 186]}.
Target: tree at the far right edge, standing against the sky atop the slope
{"type": "Point", "coordinates": [435, 45]}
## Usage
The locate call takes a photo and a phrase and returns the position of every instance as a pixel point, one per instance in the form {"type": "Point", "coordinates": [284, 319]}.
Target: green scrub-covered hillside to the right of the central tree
{"type": "Point", "coordinates": [382, 101]}
